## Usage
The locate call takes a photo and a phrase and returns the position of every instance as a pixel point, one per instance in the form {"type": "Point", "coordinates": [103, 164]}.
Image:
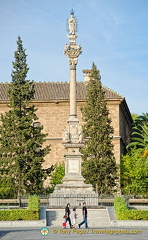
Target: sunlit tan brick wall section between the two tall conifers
{"type": "Point", "coordinates": [54, 118]}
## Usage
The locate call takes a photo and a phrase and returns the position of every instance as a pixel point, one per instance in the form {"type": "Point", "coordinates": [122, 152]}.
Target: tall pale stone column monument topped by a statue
{"type": "Point", "coordinates": [73, 189]}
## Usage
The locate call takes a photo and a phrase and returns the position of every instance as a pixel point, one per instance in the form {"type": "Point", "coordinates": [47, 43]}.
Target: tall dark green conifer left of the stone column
{"type": "Point", "coordinates": [22, 154]}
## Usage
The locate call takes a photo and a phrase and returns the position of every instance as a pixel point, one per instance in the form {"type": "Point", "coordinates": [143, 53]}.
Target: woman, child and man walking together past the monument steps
{"type": "Point", "coordinates": [67, 218]}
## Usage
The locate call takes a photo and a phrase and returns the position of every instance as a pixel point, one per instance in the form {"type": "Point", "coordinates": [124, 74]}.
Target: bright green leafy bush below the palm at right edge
{"type": "Point", "coordinates": [134, 169]}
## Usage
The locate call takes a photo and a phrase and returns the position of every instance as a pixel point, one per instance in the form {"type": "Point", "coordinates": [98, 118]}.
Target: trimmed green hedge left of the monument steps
{"type": "Point", "coordinates": [32, 213]}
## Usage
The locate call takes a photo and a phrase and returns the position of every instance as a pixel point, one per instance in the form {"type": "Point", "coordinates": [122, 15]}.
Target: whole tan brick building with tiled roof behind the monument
{"type": "Point", "coordinates": [52, 103]}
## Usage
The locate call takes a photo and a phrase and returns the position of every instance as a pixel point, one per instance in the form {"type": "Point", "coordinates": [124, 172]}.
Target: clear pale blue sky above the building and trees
{"type": "Point", "coordinates": [112, 33]}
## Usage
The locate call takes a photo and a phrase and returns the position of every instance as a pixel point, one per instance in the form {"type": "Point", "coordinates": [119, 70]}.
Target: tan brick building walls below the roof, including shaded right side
{"type": "Point", "coordinates": [54, 116]}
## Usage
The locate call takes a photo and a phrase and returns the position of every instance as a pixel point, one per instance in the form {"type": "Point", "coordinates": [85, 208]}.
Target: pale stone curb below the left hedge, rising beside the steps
{"type": "Point", "coordinates": [33, 223]}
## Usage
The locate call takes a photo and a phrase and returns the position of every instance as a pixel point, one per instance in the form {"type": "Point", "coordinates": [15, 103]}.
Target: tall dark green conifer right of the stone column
{"type": "Point", "coordinates": [99, 165]}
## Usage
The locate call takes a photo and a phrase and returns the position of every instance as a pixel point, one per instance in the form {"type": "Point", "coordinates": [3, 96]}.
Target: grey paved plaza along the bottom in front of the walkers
{"type": "Point", "coordinates": [134, 233]}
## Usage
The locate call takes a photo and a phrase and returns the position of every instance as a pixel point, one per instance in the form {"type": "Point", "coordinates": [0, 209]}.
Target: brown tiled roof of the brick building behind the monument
{"type": "Point", "coordinates": [45, 91]}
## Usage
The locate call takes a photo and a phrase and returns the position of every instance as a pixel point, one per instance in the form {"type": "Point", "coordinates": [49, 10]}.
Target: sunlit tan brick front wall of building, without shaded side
{"type": "Point", "coordinates": [54, 118]}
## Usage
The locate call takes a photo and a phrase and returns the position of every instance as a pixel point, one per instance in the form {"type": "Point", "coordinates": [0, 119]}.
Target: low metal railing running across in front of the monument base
{"type": "Point", "coordinates": [75, 200]}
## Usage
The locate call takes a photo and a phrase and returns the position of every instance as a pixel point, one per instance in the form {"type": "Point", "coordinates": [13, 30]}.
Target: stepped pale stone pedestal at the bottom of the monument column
{"type": "Point", "coordinates": [73, 185]}
